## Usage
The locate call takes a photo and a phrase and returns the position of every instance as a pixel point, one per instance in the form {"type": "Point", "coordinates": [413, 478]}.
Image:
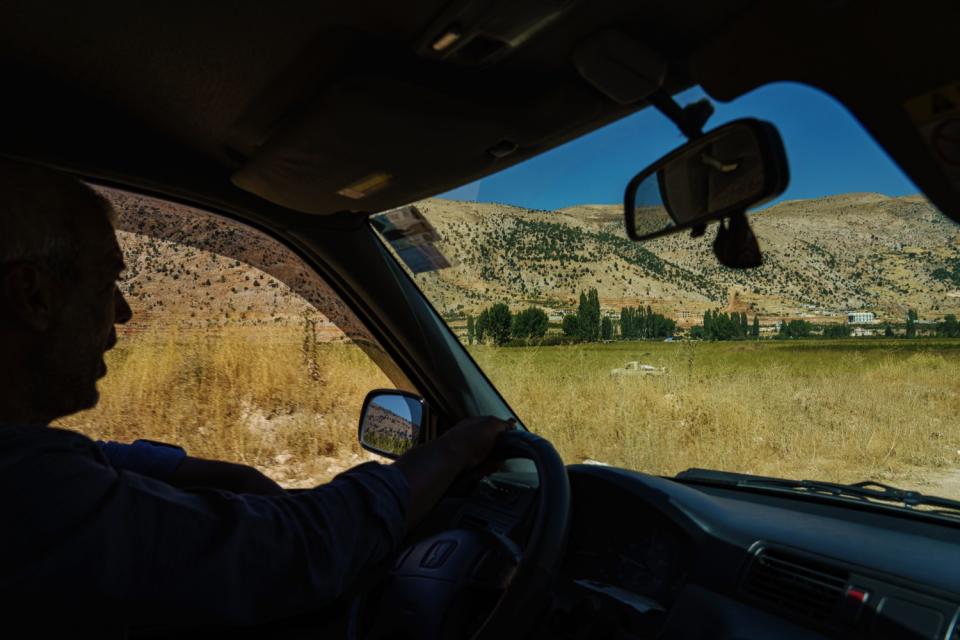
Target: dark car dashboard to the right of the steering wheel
{"type": "Point", "coordinates": [654, 557]}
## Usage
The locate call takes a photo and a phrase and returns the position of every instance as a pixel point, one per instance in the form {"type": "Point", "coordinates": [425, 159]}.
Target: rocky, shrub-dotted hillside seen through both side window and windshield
{"type": "Point", "coordinates": [823, 257]}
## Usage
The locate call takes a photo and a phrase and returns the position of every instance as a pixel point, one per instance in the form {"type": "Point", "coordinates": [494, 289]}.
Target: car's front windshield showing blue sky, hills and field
{"type": "Point", "coordinates": [835, 360]}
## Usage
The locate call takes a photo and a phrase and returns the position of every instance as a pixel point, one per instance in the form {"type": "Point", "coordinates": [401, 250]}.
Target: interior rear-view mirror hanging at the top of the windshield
{"type": "Point", "coordinates": [724, 172]}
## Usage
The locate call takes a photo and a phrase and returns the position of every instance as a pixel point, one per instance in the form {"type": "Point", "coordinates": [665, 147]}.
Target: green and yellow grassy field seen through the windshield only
{"type": "Point", "coordinates": [842, 410]}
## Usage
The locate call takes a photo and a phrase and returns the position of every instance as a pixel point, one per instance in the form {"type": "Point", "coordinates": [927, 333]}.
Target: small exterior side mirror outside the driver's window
{"type": "Point", "coordinates": [391, 421]}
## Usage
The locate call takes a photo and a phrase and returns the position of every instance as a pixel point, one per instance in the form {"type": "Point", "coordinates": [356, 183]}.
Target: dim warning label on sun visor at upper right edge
{"type": "Point", "coordinates": [937, 116]}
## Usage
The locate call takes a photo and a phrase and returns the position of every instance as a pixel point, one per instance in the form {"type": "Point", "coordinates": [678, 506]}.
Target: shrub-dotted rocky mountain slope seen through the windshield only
{"type": "Point", "coordinates": [822, 257]}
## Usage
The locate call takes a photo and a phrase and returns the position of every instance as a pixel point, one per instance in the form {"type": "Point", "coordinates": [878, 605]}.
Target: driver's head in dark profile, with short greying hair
{"type": "Point", "coordinates": [59, 301]}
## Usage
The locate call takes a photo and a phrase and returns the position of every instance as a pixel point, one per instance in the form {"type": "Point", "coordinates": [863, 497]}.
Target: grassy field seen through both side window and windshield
{"type": "Point", "coordinates": [832, 410]}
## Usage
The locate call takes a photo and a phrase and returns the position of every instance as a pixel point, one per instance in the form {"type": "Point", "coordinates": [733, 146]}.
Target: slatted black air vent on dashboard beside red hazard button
{"type": "Point", "coordinates": [793, 583]}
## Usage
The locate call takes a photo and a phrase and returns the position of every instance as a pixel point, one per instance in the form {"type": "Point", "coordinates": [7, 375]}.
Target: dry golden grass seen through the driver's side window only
{"type": "Point", "coordinates": [247, 395]}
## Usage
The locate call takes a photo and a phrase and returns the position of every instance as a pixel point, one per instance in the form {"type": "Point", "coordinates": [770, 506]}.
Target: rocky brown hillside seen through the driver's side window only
{"type": "Point", "coordinates": [193, 270]}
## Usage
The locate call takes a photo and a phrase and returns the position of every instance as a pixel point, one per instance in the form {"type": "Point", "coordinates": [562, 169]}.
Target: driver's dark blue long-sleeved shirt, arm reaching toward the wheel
{"type": "Point", "coordinates": [100, 546]}
